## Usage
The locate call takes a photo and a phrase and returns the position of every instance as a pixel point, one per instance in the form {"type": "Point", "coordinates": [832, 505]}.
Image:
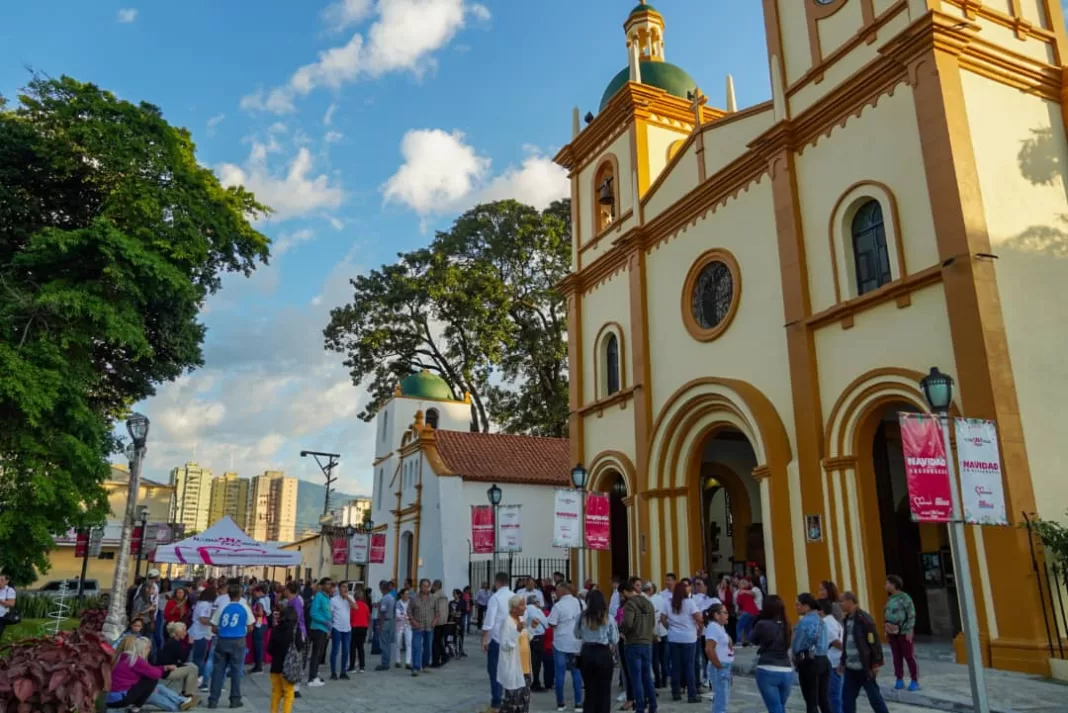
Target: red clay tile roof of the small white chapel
{"type": "Point", "coordinates": [505, 458]}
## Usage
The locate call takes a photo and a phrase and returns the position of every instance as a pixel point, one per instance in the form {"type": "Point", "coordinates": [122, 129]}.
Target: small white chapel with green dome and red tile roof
{"type": "Point", "coordinates": [430, 470]}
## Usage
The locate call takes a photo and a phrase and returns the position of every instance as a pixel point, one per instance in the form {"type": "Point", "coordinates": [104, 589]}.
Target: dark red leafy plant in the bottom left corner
{"type": "Point", "coordinates": [58, 675]}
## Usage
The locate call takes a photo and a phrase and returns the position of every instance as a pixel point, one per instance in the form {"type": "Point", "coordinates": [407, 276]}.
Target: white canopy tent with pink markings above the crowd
{"type": "Point", "coordinates": [225, 545]}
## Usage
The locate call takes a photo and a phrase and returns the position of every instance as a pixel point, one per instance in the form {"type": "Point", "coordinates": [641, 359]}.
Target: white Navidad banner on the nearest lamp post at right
{"type": "Point", "coordinates": [982, 488]}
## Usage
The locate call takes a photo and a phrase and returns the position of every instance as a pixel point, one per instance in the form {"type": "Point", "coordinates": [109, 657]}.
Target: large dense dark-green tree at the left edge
{"type": "Point", "coordinates": [112, 237]}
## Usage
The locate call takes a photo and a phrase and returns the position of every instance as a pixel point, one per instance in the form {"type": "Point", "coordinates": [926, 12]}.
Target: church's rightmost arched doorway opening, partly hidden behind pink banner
{"type": "Point", "coordinates": [919, 553]}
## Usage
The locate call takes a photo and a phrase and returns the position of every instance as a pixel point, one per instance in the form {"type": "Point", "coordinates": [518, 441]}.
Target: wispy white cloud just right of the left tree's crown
{"type": "Point", "coordinates": [293, 193]}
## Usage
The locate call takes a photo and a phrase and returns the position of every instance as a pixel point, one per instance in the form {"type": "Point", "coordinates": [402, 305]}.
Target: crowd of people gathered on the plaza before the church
{"type": "Point", "coordinates": [190, 641]}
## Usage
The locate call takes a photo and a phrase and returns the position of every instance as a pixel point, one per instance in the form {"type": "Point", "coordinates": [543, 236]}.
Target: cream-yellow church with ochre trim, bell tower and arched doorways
{"type": "Point", "coordinates": [757, 293]}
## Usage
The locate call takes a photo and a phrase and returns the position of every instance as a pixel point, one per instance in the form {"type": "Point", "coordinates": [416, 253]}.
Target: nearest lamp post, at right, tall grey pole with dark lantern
{"type": "Point", "coordinates": [938, 391]}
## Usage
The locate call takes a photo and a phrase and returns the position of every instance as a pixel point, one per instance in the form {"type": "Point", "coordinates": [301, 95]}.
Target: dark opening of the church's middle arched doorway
{"type": "Point", "coordinates": [729, 498]}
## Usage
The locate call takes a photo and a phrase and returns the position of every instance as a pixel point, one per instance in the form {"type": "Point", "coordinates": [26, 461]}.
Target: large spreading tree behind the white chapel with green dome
{"type": "Point", "coordinates": [480, 308]}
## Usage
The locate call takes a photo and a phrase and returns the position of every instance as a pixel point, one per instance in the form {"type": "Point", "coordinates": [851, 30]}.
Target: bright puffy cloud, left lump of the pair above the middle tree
{"type": "Point", "coordinates": [439, 171]}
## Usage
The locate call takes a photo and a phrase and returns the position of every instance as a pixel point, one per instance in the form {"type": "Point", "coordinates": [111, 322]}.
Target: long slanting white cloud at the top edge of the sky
{"type": "Point", "coordinates": [403, 38]}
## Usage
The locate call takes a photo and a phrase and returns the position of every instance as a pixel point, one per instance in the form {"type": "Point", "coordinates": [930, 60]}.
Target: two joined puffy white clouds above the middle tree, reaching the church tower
{"type": "Point", "coordinates": [443, 173]}
